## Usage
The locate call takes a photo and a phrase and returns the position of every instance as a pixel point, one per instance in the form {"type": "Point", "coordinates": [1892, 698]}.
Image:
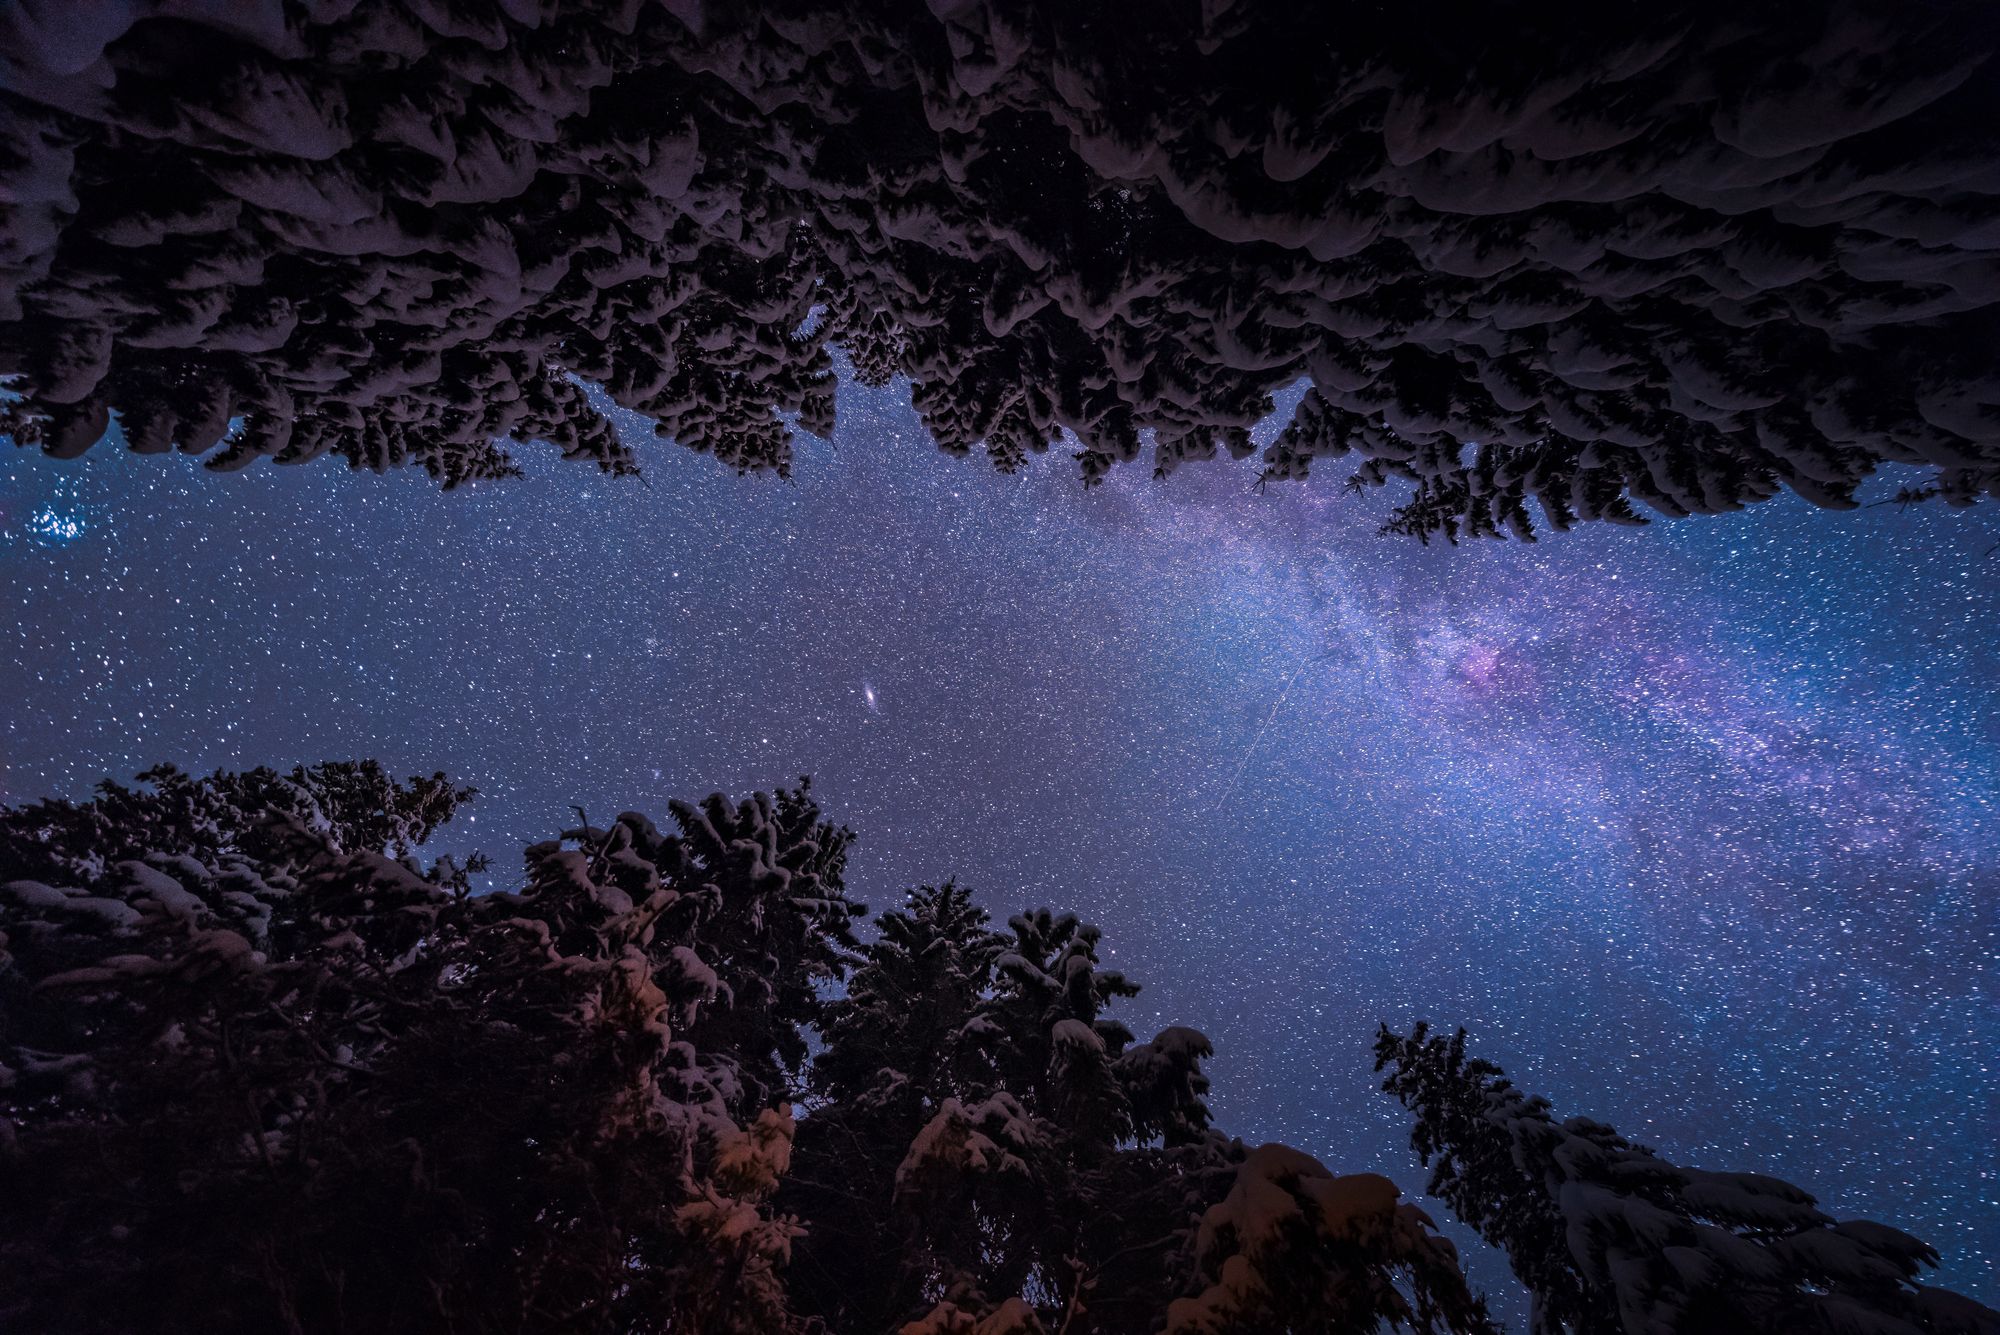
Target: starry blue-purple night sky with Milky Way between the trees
{"type": "Point", "coordinates": [1695, 826]}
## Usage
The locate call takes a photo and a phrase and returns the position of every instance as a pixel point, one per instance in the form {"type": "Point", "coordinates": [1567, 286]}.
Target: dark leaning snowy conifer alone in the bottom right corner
{"type": "Point", "coordinates": [1611, 1238]}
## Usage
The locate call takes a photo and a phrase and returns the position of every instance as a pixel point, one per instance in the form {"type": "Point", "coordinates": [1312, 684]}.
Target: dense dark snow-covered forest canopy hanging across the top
{"type": "Point", "coordinates": [1535, 265]}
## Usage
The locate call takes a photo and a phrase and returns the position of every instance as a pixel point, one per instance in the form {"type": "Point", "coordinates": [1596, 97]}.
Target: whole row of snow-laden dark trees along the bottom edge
{"type": "Point", "coordinates": [263, 1068]}
